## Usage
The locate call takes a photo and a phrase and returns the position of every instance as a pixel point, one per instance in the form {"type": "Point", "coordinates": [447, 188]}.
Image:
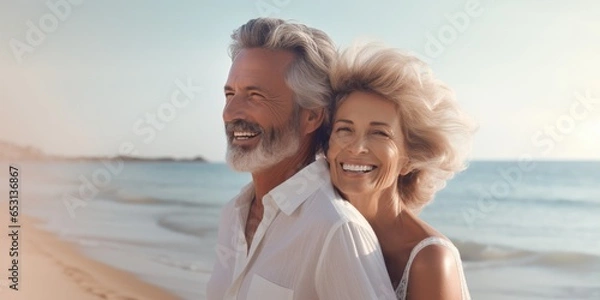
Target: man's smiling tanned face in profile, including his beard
{"type": "Point", "coordinates": [260, 115]}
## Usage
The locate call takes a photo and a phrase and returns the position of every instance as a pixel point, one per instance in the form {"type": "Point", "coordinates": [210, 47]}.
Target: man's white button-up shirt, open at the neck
{"type": "Point", "coordinates": [310, 244]}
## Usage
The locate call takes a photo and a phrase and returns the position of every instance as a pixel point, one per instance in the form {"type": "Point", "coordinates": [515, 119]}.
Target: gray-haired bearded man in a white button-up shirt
{"type": "Point", "coordinates": [287, 235]}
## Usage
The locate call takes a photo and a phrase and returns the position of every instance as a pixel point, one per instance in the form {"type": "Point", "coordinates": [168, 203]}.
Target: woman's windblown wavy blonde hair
{"type": "Point", "coordinates": [436, 132]}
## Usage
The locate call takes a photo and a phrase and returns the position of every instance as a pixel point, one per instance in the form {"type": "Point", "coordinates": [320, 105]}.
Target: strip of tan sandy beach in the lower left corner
{"type": "Point", "coordinates": [50, 268]}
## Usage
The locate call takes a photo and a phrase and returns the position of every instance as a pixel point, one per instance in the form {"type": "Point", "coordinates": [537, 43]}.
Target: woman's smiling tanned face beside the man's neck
{"type": "Point", "coordinates": [366, 148]}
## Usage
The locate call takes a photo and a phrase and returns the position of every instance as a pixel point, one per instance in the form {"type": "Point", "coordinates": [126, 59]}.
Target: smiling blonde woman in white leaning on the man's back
{"type": "Point", "coordinates": [395, 141]}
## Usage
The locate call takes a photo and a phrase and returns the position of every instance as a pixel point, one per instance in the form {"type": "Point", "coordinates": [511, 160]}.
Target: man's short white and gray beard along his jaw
{"type": "Point", "coordinates": [270, 150]}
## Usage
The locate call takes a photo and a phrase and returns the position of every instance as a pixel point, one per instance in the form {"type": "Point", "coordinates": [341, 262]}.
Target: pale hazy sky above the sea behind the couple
{"type": "Point", "coordinates": [83, 81]}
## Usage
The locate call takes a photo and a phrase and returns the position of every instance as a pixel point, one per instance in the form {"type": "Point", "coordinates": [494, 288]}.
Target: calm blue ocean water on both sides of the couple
{"type": "Point", "coordinates": [524, 231]}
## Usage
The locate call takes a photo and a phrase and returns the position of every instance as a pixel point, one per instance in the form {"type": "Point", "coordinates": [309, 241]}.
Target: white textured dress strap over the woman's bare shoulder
{"type": "Point", "coordinates": [433, 240]}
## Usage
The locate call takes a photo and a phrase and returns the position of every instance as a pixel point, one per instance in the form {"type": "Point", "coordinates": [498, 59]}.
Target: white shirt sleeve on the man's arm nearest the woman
{"type": "Point", "coordinates": [351, 265]}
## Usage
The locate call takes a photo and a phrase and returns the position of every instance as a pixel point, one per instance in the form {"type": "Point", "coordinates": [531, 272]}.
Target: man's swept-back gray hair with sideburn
{"type": "Point", "coordinates": [308, 75]}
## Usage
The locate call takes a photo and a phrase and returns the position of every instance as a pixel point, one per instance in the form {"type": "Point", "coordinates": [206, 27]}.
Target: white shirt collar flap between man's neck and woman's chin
{"type": "Point", "coordinates": [291, 193]}
